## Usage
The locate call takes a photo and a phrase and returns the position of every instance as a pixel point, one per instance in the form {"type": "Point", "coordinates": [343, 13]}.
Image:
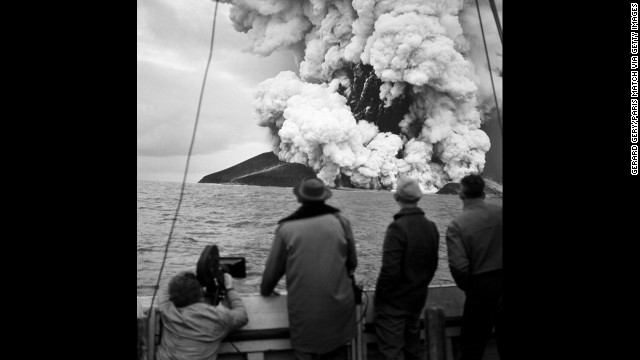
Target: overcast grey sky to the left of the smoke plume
{"type": "Point", "coordinates": [173, 47]}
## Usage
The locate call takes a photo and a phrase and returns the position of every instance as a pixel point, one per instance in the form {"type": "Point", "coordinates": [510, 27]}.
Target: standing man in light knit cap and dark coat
{"type": "Point", "coordinates": [409, 261]}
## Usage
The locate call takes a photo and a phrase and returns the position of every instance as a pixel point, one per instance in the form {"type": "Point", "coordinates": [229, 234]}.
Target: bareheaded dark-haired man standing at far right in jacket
{"type": "Point", "coordinates": [474, 245]}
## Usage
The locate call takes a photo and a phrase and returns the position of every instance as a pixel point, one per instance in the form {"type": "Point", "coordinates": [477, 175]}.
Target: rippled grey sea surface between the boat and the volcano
{"type": "Point", "coordinates": [241, 221]}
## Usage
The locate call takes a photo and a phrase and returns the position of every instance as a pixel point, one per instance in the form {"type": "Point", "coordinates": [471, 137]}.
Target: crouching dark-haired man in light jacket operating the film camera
{"type": "Point", "coordinates": [193, 328]}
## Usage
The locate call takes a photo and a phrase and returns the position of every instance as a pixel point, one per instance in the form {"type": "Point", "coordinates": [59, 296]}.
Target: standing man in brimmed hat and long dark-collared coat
{"type": "Point", "coordinates": [311, 248]}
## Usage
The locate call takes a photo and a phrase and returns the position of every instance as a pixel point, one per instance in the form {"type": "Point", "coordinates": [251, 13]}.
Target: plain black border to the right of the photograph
{"type": "Point", "coordinates": [569, 196]}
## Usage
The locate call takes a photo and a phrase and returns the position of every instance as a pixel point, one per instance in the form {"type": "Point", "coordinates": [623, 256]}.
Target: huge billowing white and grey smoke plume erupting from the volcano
{"type": "Point", "coordinates": [384, 87]}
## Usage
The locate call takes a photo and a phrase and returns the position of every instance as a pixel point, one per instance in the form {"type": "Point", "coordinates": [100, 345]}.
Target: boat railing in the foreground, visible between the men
{"type": "Point", "coordinates": [266, 335]}
